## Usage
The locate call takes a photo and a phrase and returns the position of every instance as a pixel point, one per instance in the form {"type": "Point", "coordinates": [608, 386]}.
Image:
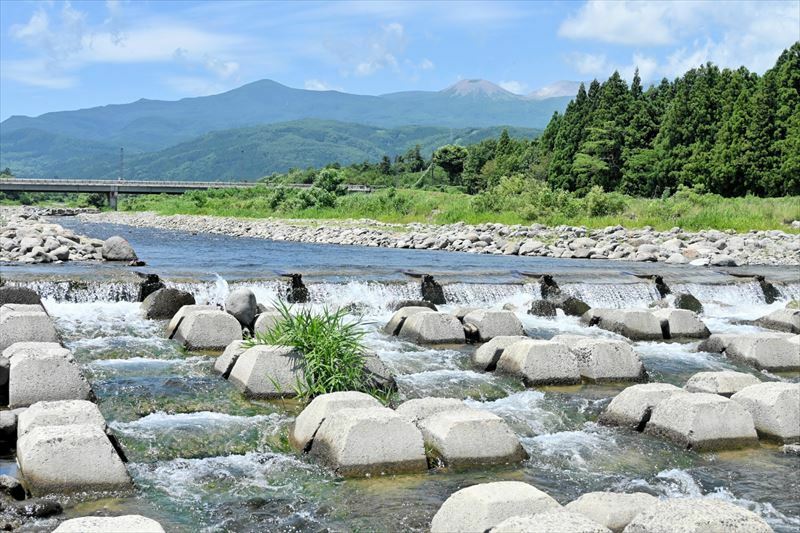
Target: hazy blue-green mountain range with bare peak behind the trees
{"type": "Point", "coordinates": [260, 128]}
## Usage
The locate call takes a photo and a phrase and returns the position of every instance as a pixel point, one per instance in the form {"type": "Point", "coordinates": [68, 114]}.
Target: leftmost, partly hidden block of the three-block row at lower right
{"type": "Point", "coordinates": [633, 406]}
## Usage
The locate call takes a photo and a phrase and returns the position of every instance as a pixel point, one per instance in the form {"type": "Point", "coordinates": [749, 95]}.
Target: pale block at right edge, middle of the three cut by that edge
{"type": "Point", "coordinates": [767, 351]}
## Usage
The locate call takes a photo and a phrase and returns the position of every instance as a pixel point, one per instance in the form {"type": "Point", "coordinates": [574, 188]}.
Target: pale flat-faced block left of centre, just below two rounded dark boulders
{"type": "Point", "coordinates": [207, 330]}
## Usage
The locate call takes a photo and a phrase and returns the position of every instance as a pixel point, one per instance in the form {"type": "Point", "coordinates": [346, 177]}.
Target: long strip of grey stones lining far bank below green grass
{"type": "Point", "coordinates": [676, 246]}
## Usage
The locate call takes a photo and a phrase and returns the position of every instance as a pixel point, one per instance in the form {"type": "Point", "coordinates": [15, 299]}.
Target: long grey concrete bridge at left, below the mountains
{"type": "Point", "coordinates": [113, 188]}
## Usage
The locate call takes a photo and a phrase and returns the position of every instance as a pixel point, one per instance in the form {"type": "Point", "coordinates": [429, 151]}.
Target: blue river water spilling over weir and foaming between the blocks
{"type": "Point", "coordinates": [205, 459]}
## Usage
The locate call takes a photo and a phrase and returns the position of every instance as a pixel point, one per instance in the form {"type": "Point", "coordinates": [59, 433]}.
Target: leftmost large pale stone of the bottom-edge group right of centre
{"type": "Point", "coordinates": [480, 507]}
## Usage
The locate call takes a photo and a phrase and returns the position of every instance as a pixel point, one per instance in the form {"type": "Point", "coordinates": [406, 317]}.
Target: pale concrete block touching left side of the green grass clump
{"type": "Point", "coordinates": [265, 371]}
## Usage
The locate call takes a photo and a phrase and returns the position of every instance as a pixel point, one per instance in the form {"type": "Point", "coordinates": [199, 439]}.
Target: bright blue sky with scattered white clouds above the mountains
{"type": "Point", "coordinates": [57, 55]}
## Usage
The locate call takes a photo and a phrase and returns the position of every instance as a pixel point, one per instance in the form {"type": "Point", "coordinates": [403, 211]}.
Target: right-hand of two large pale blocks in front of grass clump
{"type": "Point", "coordinates": [470, 437]}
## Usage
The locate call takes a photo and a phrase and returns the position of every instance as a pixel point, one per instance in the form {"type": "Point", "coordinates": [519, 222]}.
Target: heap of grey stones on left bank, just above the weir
{"type": "Point", "coordinates": [25, 237]}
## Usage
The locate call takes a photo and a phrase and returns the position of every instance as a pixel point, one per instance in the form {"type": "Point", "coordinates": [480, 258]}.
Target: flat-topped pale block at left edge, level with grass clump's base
{"type": "Point", "coordinates": [43, 371]}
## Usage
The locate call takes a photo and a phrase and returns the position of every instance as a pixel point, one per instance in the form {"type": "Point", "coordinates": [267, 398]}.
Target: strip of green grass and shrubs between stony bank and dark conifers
{"type": "Point", "coordinates": [687, 210]}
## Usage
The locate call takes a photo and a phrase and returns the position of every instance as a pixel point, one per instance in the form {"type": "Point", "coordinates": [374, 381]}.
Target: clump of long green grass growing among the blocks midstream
{"type": "Point", "coordinates": [332, 348]}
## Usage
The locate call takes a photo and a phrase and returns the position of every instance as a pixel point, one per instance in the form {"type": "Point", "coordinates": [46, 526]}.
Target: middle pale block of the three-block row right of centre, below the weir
{"type": "Point", "coordinates": [540, 362]}
